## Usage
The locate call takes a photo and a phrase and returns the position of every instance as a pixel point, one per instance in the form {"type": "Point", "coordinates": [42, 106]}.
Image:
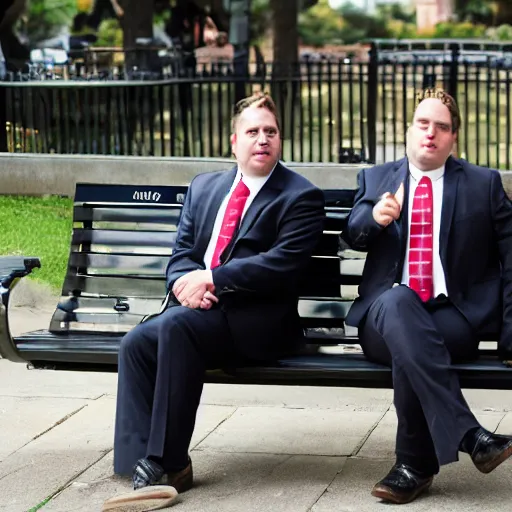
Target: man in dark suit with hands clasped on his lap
{"type": "Point", "coordinates": [243, 240]}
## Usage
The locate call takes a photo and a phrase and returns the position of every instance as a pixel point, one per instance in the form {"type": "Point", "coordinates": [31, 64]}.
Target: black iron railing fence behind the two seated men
{"type": "Point", "coordinates": [331, 110]}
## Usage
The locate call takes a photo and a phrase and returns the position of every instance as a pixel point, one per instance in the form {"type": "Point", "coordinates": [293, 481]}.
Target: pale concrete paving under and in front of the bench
{"type": "Point", "coordinates": [274, 448]}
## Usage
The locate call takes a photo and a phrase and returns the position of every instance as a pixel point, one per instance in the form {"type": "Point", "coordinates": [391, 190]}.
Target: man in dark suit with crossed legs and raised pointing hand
{"type": "Point", "coordinates": [438, 274]}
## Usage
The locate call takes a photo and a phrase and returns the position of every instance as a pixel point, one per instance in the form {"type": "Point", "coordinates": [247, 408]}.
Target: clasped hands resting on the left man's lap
{"type": "Point", "coordinates": [191, 289]}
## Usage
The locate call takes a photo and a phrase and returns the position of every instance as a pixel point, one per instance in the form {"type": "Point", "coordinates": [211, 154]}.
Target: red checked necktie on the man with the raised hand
{"type": "Point", "coordinates": [421, 241]}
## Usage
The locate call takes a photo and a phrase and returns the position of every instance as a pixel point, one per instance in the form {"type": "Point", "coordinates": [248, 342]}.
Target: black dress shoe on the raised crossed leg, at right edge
{"type": "Point", "coordinates": [490, 450]}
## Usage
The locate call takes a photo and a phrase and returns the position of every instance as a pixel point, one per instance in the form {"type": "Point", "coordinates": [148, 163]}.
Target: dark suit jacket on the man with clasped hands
{"type": "Point", "coordinates": [257, 283]}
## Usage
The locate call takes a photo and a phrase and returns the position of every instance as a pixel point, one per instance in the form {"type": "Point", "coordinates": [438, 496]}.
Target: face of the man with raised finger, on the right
{"type": "Point", "coordinates": [430, 138]}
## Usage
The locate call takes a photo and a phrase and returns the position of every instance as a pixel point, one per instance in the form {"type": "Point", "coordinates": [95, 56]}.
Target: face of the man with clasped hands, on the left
{"type": "Point", "coordinates": [256, 143]}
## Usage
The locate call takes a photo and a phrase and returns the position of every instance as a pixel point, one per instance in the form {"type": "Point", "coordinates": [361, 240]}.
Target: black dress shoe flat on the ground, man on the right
{"type": "Point", "coordinates": [402, 484]}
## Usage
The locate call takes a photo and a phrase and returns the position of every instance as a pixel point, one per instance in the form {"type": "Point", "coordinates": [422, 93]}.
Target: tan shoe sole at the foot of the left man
{"type": "Point", "coordinates": [154, 497]}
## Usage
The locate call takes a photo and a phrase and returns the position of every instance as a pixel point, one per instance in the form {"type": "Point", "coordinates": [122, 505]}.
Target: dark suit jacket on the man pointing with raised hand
{"type": "Point", "coordinates": [475, 243]}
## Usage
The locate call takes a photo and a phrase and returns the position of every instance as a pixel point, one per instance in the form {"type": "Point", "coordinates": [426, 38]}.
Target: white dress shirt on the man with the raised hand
{"type": "Point", "coordinates": [437, 177]}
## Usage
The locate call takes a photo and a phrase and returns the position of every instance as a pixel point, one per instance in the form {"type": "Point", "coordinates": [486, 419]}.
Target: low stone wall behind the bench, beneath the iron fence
{"type": "Point", "coordinates": [26, 174]}
